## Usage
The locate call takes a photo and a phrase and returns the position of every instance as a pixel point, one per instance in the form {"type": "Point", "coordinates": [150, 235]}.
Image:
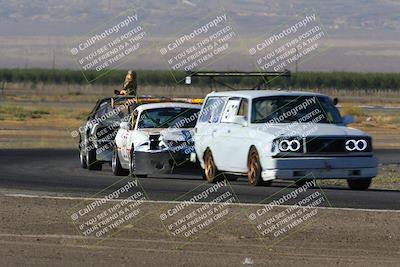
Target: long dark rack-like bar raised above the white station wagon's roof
{"type": "Point", "coordinates": [263, 77]}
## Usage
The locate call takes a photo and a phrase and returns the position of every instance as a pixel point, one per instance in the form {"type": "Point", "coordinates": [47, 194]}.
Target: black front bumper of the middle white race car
{"type": "Point", "coordinates": [162, 162]}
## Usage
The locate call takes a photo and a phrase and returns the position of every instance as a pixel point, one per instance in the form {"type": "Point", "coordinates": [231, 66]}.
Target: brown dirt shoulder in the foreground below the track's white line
{"type": "Point", "coordinates": [38, 231]}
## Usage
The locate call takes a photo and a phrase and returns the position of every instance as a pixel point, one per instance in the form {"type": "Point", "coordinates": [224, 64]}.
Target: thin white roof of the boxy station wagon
{"type": "Point", "coordinates": [263, 93]}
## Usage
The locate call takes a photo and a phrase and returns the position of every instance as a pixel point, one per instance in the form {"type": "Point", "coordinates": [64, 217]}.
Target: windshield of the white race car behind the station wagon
{"type": "Point", "coordinates": [174, 117]}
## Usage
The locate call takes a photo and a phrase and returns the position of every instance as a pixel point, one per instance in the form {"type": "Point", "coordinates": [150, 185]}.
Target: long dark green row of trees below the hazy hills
{"type": "Point", "coordinates": [339, 80]}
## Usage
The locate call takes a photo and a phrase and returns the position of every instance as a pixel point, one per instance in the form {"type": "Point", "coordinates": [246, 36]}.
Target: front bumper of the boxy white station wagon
{"type": "Point", "coordinates": [319, 168]}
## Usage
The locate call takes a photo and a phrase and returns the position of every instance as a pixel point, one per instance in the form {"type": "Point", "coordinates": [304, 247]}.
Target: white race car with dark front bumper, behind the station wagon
{"type": "Point", "coordinates": [156, 140]}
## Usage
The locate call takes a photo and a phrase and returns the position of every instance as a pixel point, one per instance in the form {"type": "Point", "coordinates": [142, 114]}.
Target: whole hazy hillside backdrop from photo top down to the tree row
{"type": "Point", "coordinates": [359, 35]}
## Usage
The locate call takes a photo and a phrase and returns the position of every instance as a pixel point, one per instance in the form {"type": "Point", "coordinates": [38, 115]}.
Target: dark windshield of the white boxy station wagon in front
{"type": "Point", "coordinates": [286, 109]}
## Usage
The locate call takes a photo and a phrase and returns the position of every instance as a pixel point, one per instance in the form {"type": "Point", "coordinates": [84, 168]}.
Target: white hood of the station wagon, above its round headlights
{"type": "Point", "coordinates": [307, 129]}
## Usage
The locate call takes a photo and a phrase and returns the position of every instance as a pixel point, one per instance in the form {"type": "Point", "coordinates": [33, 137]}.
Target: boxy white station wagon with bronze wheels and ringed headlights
{"type": "Point", "coordinates": [271, 135]}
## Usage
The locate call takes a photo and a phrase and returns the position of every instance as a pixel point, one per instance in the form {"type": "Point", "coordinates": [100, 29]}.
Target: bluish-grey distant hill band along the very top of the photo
{"type": "Point", "coordinates": [252, 17]}
